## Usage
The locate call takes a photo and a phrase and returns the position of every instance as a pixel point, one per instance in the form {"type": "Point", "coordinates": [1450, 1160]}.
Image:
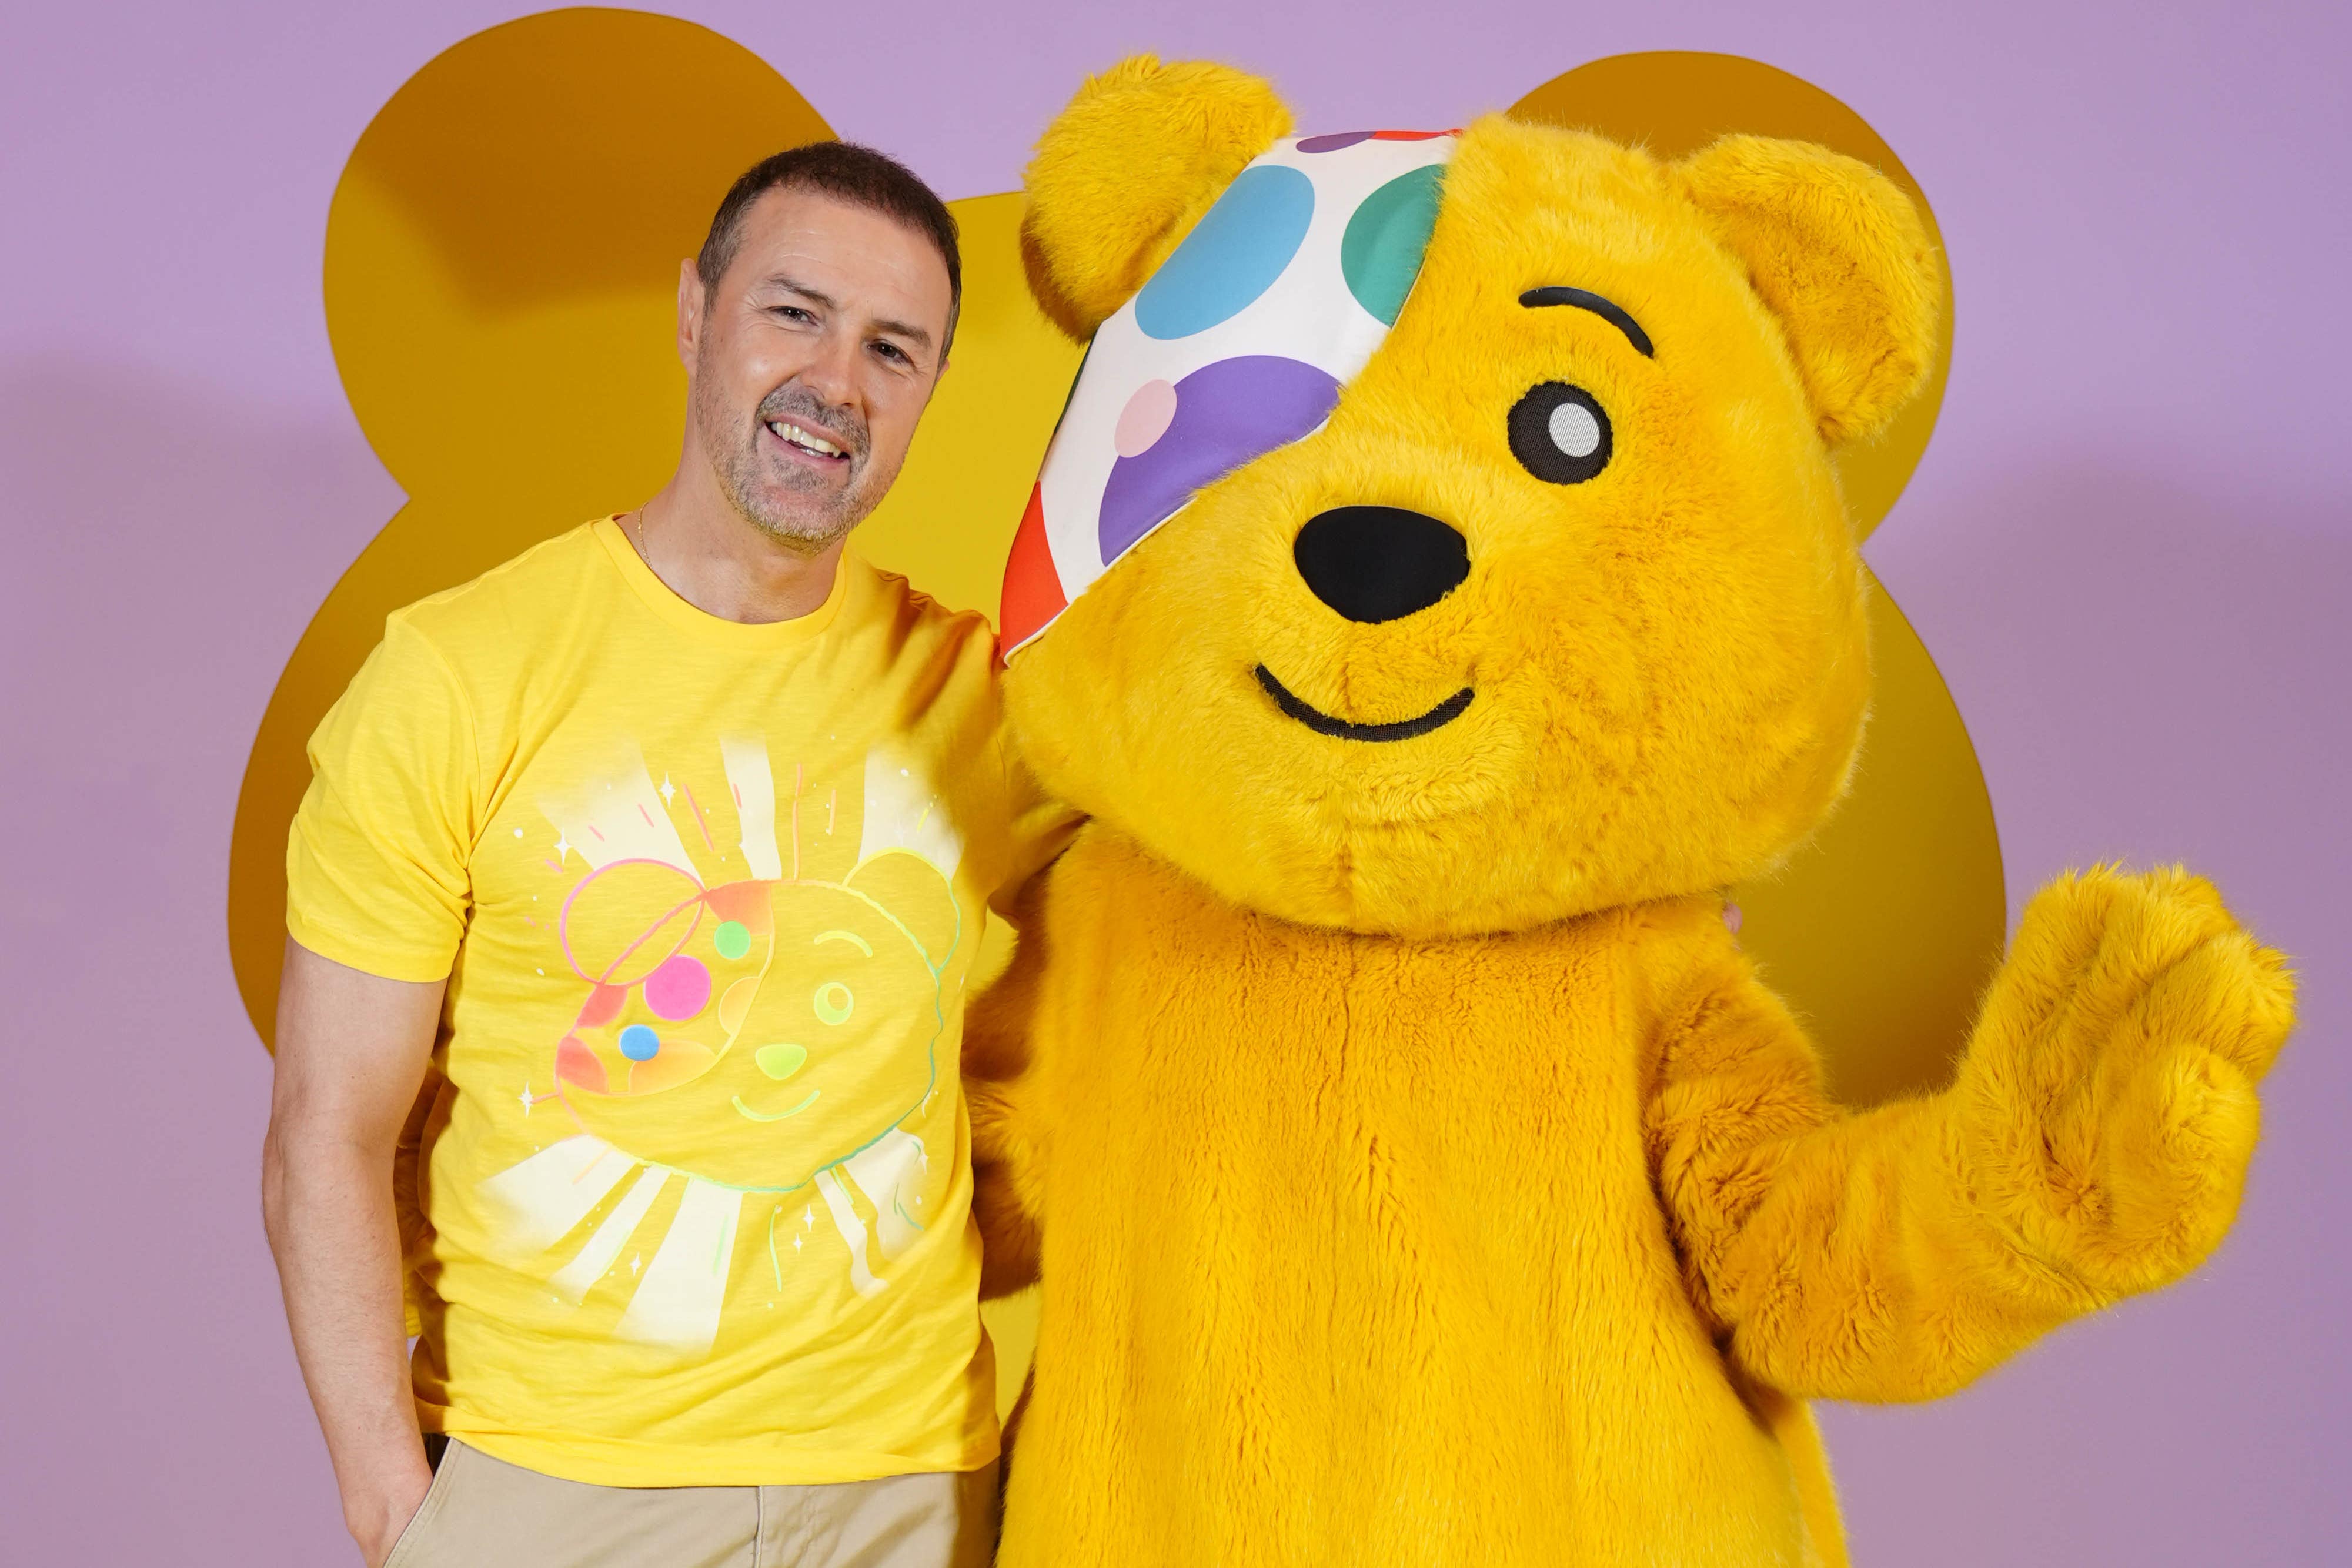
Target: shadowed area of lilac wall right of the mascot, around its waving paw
{"type": "Point", "coordinates": [2156, 666]}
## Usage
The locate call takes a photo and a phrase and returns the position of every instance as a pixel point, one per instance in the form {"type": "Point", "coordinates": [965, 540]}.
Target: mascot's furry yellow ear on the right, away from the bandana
{"type": "Point", "coordinates": [1840, 257]}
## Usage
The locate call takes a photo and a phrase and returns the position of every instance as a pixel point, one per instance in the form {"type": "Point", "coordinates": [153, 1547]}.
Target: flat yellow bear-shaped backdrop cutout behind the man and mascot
{"type": "Point", "coordinates": [502, 264]}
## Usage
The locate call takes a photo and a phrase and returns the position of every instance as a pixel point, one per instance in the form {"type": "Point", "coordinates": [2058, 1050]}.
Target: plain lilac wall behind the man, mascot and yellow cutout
{"type": "Point", "coordinates": [2130, 549]}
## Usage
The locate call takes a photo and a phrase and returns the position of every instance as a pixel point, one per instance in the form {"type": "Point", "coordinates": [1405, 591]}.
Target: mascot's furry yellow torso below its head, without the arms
{"type": "Point", "coordinates": [1351, 1257]}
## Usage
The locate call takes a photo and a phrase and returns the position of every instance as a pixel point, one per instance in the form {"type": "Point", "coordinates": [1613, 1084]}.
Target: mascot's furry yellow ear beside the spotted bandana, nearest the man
{"type": "Point", "coordinates": [1128, 168]}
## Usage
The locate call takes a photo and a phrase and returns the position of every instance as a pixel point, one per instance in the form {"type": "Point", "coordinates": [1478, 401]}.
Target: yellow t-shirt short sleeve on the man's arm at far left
{"type": "Point", "coordinates": [377, 857]}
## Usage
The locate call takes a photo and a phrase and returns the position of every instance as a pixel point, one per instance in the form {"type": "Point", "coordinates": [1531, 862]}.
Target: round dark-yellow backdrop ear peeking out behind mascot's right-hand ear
{"type": "Point", "coordinates": [1676, 102]}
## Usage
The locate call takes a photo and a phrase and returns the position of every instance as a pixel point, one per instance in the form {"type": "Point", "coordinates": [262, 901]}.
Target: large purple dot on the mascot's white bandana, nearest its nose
{"type": "Point", "coordinates": [1227, 415]}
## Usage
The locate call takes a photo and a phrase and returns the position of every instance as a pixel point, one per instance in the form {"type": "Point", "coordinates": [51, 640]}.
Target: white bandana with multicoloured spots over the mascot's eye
{"type": "Point", "coordinates": [1238, 344]}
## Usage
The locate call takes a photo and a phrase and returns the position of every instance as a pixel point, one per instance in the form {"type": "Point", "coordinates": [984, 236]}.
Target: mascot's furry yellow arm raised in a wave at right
{"type": "Point", "coordinates": [2092, 1146]}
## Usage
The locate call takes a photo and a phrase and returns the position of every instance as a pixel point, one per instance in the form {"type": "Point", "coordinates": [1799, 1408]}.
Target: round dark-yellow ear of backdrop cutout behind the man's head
{"type": "Point", "coordinates": [502, 255]}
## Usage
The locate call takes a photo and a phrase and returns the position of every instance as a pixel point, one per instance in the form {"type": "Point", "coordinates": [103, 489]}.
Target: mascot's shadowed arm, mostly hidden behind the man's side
{"type": "Point", "coordinates": [1001, 1092]}
